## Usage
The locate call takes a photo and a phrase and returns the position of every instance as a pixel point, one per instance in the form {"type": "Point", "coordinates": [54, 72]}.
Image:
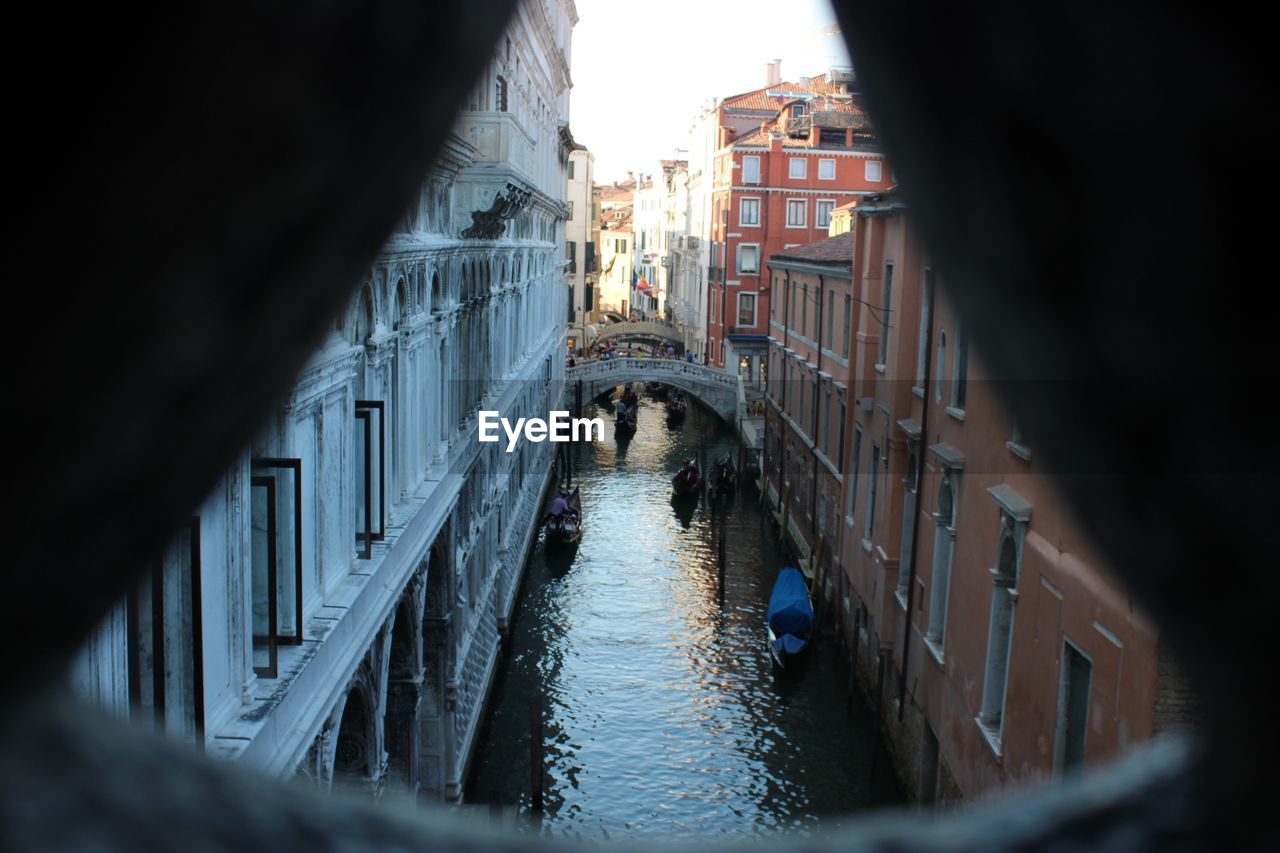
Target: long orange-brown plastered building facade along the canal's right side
{"type": "Point", "coordinates": [1002, 653]}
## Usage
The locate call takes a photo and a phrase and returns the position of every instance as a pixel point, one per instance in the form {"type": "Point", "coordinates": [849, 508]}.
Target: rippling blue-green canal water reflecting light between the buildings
{"type": "Point", "coordinates": [662, 714]}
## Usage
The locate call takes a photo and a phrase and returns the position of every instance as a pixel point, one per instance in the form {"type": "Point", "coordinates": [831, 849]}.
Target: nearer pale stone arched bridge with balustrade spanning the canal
{"type": "Point", "coordinates": [720, 390]}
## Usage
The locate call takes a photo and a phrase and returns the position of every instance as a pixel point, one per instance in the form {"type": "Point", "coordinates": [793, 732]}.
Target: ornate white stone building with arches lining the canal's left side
{"type": "Point", "coordinates": [335, 610]}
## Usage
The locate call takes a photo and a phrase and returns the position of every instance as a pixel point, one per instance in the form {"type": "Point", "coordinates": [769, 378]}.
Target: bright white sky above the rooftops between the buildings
{"type": "Point", "coordinates": [642, 71]}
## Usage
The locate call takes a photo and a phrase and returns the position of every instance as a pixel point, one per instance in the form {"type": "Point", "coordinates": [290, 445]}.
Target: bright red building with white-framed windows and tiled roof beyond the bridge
{"type": "Point", "coordinates": [788, 156]}
